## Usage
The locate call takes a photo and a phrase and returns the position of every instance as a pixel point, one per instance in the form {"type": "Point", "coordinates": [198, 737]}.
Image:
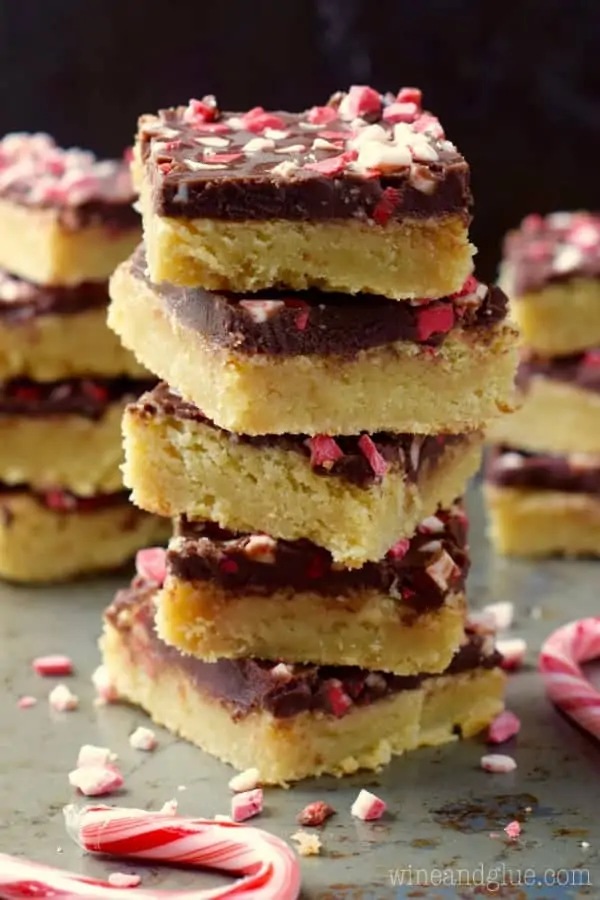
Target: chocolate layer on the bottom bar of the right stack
{"type": "Point", "coordinates": [574, 474]}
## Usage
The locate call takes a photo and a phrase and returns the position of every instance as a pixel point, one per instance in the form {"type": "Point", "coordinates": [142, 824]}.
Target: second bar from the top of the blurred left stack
{"type": "Point", "coordinates": [48, 333]}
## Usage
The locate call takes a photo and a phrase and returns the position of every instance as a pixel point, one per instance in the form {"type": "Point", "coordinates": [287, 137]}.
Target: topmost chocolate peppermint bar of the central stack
{"type": "Point", "coordinates": [365, 194]}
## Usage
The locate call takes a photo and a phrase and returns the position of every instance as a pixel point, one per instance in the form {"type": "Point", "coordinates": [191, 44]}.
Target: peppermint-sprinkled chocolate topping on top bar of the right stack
{"type": "Point", "coordinates": [558, 247]}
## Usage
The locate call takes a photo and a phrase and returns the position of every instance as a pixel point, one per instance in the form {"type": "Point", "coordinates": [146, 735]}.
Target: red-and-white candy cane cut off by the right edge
{"type": "Point", "coordinates": [567, 686]}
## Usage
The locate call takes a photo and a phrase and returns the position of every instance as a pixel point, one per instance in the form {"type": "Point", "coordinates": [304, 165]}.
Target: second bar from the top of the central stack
{"type": "Point", "coordinates": [315, 364]}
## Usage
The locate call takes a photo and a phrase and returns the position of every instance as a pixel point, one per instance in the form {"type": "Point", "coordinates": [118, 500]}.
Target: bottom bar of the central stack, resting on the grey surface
{"type": "Point", "coordinates": [291, 721]}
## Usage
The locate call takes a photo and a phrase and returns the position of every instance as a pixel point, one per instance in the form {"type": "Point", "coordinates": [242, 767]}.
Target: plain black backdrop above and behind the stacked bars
{"type": "Point", "coordinates": [516, 83]}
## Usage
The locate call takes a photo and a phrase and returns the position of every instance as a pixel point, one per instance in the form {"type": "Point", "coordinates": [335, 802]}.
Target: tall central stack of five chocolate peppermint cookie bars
{"type": "Point", "coordinates": [329, 364]}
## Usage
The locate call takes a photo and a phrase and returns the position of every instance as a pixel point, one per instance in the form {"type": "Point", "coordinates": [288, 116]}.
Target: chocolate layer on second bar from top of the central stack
{"type": "Point", "coordinates": [279, 323]}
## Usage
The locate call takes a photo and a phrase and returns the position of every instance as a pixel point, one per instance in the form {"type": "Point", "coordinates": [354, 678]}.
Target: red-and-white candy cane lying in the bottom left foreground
{"type": "Point", "coordinates": [269, 868]}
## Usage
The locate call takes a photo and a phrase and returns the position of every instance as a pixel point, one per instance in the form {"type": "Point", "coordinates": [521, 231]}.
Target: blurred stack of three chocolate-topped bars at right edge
{"type": "Point", "coordinates": [543, 475]}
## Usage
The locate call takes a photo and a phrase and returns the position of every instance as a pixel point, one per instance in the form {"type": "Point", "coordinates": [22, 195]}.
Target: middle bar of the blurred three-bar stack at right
{"type": "Point", "coordinates": [561, 406]}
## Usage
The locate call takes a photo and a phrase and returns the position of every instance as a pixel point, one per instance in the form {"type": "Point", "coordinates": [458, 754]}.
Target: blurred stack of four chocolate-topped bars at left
{"type": "Point", "coordinates": [65, 221]}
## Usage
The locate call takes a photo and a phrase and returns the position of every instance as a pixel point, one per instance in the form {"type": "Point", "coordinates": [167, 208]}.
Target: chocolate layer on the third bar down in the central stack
{"type": "Point", "coordinates": [406, 452]}
